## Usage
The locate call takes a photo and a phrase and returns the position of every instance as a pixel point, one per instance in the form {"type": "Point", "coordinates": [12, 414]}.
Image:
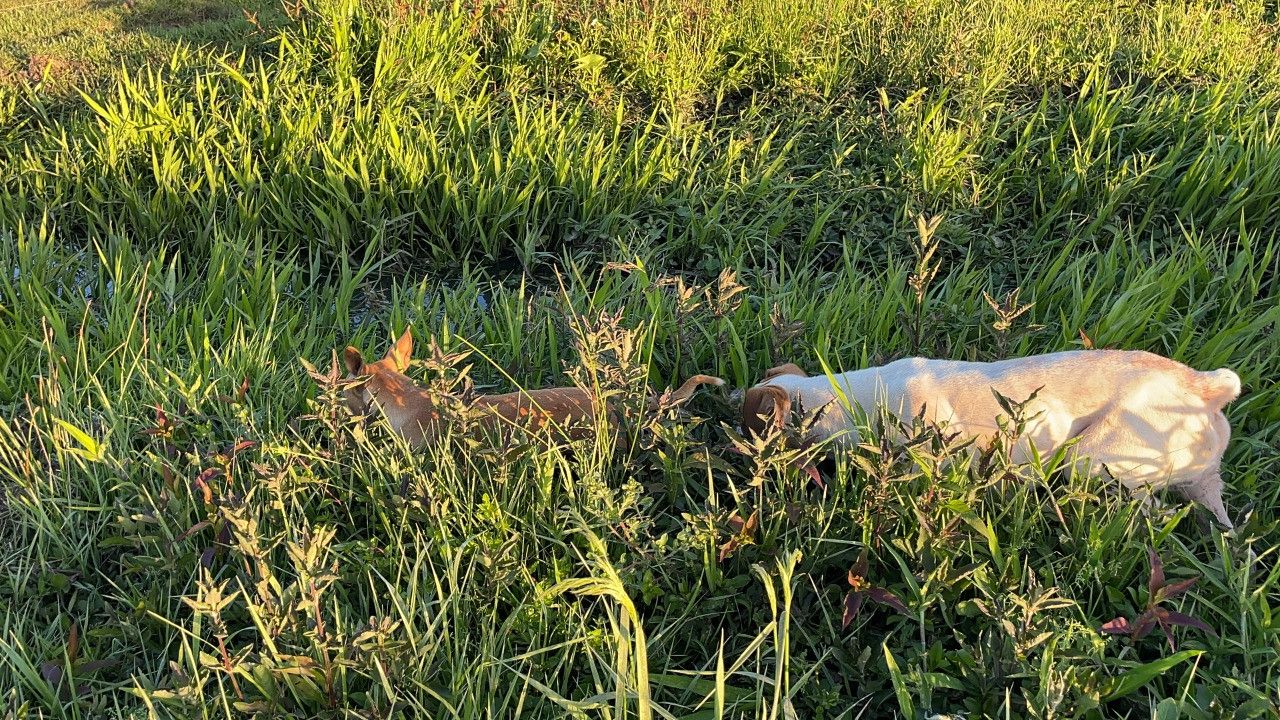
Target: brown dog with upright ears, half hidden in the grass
{"type": "Point", "coordinates": [412, 412]}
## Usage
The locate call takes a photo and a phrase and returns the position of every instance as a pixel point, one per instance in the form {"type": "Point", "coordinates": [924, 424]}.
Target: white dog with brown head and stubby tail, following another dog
{"type": "Point", "coordinates": [1148, 421]}
